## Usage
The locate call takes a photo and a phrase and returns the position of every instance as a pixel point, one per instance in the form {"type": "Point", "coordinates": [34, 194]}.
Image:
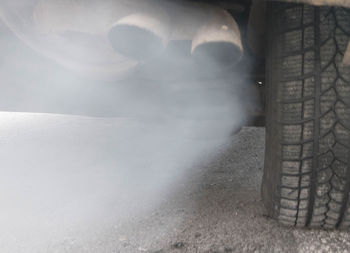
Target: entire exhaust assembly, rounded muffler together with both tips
{"type": "Point", "coordinates": [121, 33]}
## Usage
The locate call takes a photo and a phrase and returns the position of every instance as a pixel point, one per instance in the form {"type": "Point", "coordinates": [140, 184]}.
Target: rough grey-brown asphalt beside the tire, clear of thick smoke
{"type": "Point", "coordinates": [218, 209]}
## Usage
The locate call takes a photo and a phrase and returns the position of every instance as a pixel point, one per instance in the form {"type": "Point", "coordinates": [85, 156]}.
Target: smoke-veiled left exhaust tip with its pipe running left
{"type": "Point", "coordinates": [135, 29]}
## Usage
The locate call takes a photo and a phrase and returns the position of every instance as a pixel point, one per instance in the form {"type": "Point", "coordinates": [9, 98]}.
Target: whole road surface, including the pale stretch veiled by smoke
{"type": "Point", "coordinates": [57, 198]}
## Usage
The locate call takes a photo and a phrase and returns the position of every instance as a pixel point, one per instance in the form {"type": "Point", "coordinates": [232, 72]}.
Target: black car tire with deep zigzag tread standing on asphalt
{"type": "Point", "coordinates": [306, 178]}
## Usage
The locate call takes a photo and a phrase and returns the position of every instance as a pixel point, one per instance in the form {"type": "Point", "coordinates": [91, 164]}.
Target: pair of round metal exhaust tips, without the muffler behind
{"type": "Point", "coordinates": [215, 41]}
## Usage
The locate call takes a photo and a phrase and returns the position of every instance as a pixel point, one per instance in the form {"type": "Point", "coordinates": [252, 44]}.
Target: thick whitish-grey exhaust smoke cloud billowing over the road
{"type": "Point", "coordinates": [70, 174]}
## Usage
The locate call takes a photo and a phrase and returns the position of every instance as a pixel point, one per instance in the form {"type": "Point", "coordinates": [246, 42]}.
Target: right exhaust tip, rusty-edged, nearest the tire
{"type": "Point", "coordinates": [218, 41]}
